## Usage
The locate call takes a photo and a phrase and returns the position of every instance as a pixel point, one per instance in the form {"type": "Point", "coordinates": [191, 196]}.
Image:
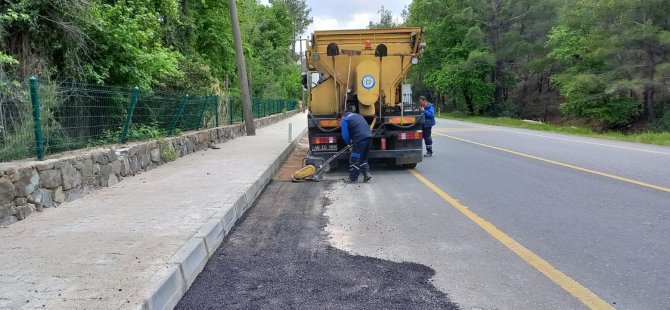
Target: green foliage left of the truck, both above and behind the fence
{"type": "Point", "coordinates": [165, 47]}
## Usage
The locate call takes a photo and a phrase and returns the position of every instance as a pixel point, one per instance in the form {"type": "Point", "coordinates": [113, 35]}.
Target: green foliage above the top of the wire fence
{"type": "Point", "coordinates": [185, 46]}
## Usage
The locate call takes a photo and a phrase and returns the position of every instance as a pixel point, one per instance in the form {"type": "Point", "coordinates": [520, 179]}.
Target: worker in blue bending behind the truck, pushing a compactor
{"type": "Point", "coordinates": [356, 131]}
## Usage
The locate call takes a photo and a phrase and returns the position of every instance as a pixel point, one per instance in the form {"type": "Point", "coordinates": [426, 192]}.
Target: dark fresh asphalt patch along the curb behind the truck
{"type": "Point", "coordinates": [278, 257]}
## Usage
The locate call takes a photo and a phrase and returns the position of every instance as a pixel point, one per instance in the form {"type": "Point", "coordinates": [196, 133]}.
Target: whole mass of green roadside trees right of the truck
{"type": "Point", "coordinates": [604, 61]}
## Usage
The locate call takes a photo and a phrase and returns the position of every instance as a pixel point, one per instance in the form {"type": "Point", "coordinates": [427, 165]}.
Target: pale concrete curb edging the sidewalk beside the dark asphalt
{"type": "Point", "coordinates": [192, 257]}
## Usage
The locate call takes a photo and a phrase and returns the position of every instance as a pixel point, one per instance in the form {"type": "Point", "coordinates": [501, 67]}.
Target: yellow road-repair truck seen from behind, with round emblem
{"type": "Point", "coordinates": [364, 71]}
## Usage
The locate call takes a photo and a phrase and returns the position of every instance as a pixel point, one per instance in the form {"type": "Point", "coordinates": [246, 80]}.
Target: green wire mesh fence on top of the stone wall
{"type": "Point", "coordinates": [37, 119]}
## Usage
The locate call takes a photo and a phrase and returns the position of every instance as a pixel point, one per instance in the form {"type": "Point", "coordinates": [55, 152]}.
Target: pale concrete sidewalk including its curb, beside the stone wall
{"type": "Point", "coordinates": [140, 243]}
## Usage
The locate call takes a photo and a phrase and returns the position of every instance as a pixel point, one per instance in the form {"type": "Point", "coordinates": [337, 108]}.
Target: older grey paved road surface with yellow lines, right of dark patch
{"type": "Point", "coordinates": [516, 219]}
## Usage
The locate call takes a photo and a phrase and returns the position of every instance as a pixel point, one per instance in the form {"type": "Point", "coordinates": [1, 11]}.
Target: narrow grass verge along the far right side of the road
{"type": "Point", "coordinates": [658, 138]}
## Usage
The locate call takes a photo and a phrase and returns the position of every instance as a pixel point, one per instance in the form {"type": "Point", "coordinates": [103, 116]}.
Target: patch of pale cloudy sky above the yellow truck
{"type": "Point", "coordinates": [349, 14]}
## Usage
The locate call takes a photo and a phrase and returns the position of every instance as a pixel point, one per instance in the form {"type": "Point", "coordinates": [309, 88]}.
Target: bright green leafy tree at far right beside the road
{"type": "Point", "coordinates": [611, 52]}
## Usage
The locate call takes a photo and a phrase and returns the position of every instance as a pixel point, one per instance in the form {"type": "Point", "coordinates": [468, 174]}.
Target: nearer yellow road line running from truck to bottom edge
{"type": "Point", "coordinates": [581, 293]}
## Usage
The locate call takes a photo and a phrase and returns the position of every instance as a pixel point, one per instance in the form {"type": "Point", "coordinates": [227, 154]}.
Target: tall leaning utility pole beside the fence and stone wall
{"type": "Point", "coordinates": [242, 70]}
